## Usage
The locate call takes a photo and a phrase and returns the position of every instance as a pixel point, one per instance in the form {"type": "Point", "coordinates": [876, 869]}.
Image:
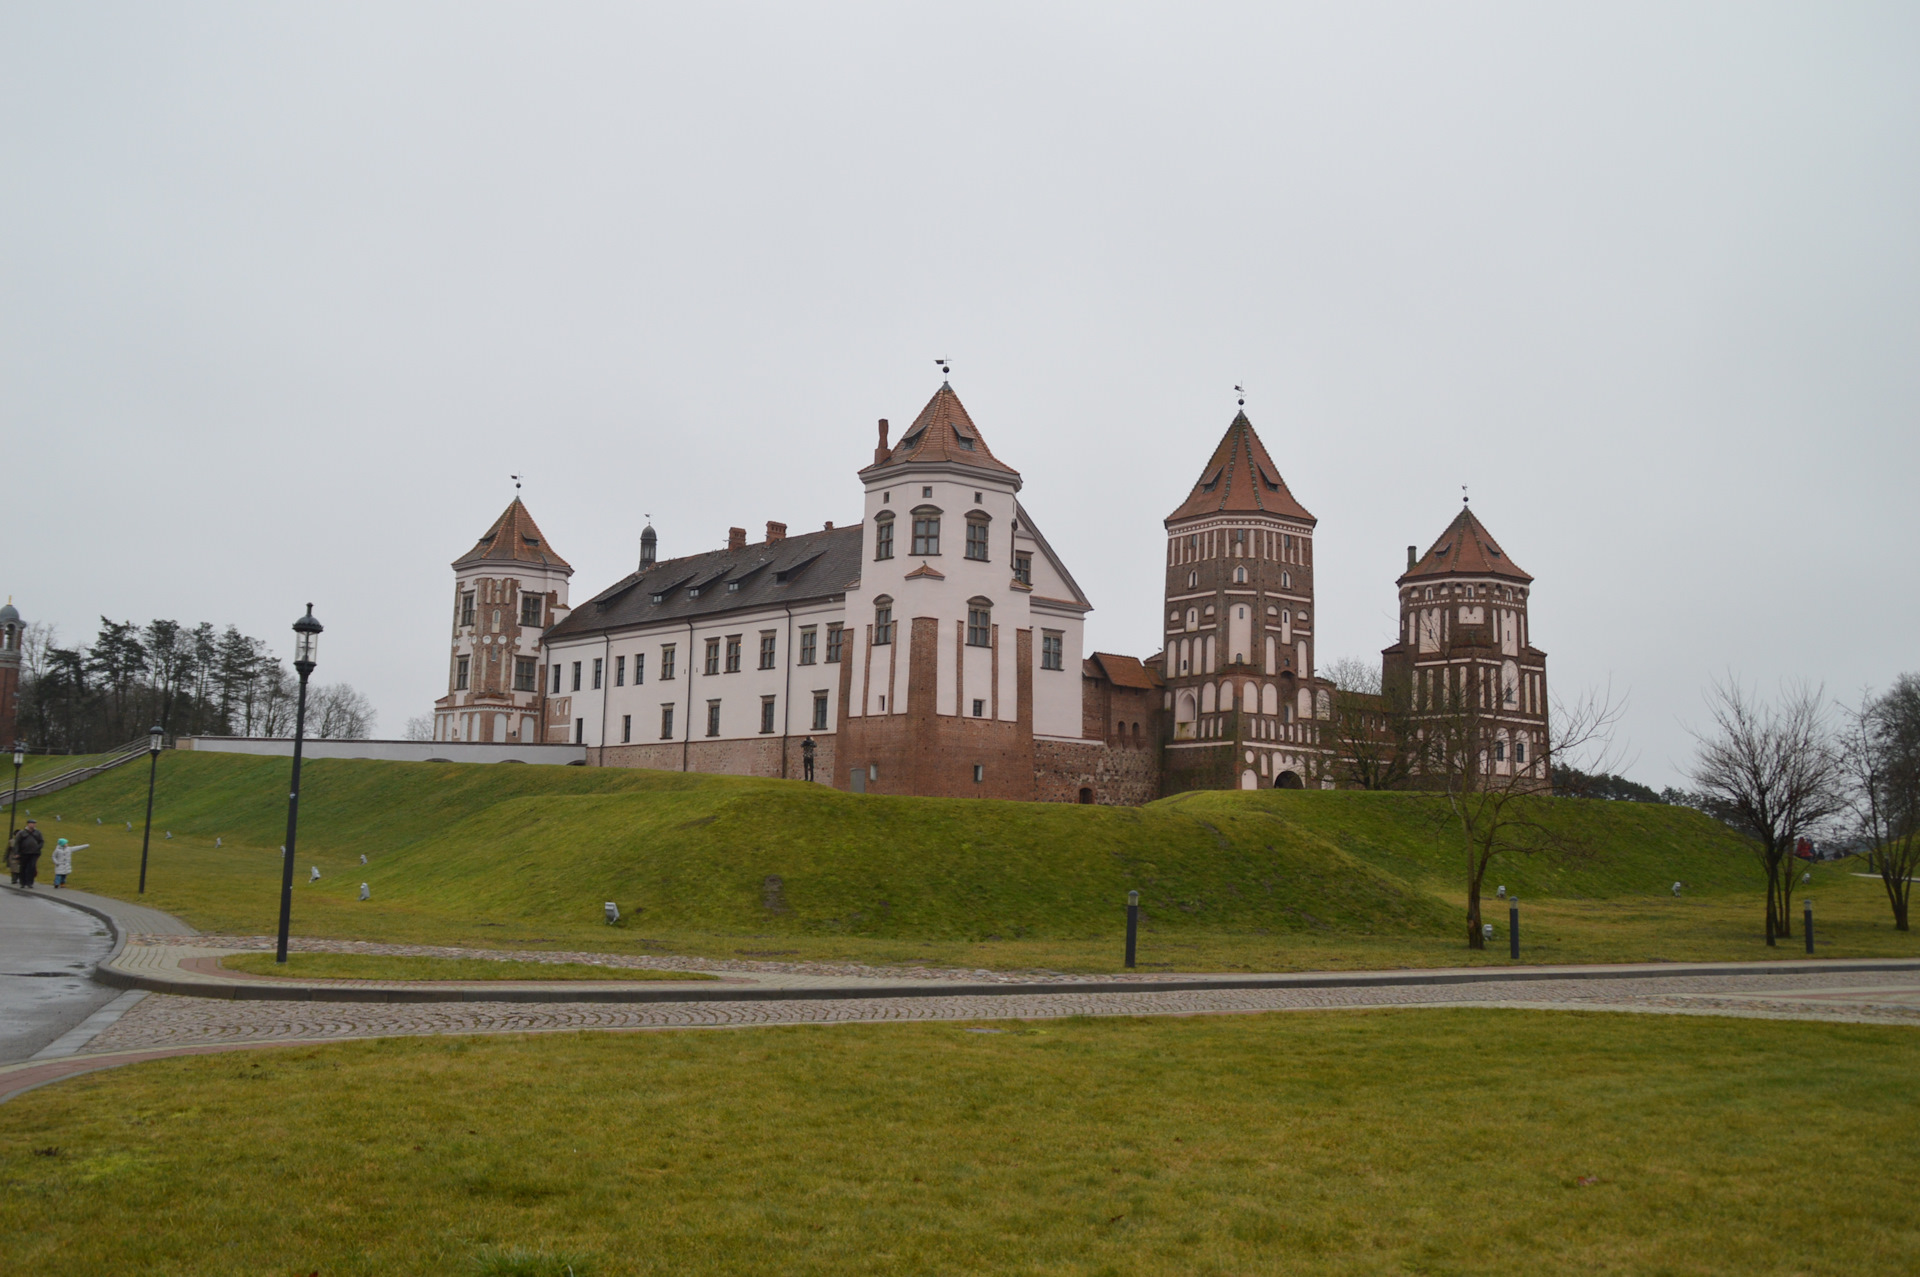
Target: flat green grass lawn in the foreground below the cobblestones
{"type": "Point", "coordinates": [1422, 1142]}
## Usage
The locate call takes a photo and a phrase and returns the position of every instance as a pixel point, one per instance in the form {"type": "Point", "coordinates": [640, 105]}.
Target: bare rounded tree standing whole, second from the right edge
{"type": "Point", "coordinates": [1775, 775]}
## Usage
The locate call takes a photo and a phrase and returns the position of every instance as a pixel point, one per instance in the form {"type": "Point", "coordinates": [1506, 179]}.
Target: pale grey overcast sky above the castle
{"type": "Point", "coordinates": [291, 291]}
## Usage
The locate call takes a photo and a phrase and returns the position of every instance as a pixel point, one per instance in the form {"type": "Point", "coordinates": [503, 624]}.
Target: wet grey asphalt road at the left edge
{"type": "Point", "coordinates": [47, 955]}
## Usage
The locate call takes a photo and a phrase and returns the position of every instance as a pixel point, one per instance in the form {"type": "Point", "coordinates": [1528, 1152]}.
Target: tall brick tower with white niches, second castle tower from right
{"type": "Point", "coordinates": [1239, 623]}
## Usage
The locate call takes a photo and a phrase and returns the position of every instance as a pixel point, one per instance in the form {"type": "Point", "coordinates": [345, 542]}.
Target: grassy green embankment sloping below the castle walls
{"type": "Point", "coordinates": [711, 865]}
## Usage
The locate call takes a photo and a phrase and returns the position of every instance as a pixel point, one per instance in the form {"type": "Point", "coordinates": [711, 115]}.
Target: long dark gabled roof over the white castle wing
{"type": "Point", "coordinates": [800, 569]}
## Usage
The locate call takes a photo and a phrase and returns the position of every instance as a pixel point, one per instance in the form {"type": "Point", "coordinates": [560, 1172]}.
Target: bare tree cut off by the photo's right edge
{"type": "Point", "coordinates": [1881, 756]}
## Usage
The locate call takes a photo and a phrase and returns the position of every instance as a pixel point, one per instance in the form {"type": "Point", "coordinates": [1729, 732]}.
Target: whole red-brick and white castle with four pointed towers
{"type": "Point", "coordinates": [936, 648]}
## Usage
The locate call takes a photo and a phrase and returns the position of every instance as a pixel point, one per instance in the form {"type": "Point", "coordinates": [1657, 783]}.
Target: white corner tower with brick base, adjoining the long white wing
{"type": "Point", "coordinates": [963, 631]}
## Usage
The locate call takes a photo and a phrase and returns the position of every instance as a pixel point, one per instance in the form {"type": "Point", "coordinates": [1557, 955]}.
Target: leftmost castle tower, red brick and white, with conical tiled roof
{"type": "Point", "coordinates": [506, 592]}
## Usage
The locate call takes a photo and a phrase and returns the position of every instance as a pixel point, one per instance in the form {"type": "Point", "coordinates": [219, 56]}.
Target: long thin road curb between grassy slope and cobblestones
{"type": "Point", "coordinates": [260, 992]}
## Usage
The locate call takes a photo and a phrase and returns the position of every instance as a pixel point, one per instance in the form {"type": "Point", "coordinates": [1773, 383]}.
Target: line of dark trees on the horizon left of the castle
{"type": "Point", "coordinates": [189, 681]}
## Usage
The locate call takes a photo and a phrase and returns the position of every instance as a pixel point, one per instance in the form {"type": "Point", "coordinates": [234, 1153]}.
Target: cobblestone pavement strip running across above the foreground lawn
{"type": "Point", "coordinates": [176, 1023]}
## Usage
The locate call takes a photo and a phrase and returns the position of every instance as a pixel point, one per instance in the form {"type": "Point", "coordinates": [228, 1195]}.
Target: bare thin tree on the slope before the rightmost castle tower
{"type": "Point", "coordinates": [1495, 792]}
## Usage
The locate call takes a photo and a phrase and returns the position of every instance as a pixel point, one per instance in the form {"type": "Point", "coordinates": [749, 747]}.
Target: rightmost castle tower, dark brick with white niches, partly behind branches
{"type": "Point", "coordinates": [1464, 640]}
